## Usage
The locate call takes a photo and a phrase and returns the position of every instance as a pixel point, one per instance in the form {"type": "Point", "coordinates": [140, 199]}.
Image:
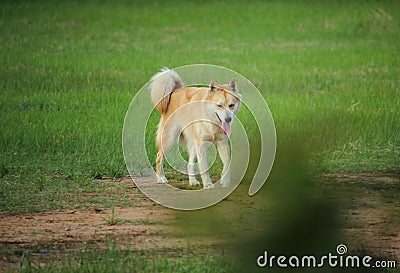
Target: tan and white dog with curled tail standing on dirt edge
{"type": "Point", "coordinates": [196, 116]}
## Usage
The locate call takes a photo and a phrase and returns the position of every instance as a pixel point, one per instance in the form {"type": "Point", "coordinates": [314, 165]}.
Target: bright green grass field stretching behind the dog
{"type": "Point", "coordinates": [329, 72]}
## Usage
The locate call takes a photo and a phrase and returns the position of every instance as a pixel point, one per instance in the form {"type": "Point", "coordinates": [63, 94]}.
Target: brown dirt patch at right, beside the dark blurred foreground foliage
{"type": "Point", "coordinates": [371, 209]}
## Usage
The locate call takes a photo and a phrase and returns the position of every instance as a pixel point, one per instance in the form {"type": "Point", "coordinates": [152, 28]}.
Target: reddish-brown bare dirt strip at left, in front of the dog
{"type": "Point", "coordinates": [146, 226]}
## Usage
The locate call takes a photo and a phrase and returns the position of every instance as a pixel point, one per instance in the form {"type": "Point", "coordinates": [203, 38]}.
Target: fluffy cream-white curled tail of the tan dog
{"type": "Point", "coordinates": [162, 86]}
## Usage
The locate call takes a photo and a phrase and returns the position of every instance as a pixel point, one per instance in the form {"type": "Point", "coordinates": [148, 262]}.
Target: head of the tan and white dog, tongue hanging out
{"type": "Point", "coordinates": [224, 103]}
